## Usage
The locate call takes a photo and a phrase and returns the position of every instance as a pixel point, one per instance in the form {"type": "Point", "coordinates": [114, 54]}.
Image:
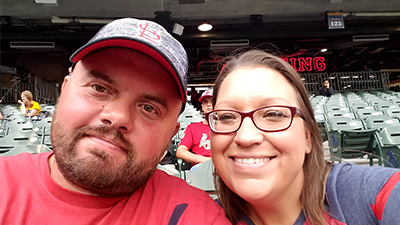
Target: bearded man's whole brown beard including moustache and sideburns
{"type": "Point", "coordinates": [99, 172]}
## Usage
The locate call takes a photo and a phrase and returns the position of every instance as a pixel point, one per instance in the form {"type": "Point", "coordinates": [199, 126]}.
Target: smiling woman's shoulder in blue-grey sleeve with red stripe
{"type": "Point", "coordinates": [362, 190]}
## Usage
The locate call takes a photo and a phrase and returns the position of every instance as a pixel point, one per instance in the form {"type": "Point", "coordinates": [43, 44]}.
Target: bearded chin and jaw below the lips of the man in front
{"type": "Point", "coordinates": [101, 174]}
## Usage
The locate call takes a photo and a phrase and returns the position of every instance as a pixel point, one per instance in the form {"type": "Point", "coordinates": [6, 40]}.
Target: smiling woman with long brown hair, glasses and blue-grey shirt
{"type": "Point", "coordinates": [267, 151]}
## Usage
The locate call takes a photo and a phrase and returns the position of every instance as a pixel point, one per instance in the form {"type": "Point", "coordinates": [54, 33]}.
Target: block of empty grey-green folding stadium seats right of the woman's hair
{"type": "Point", "coordinates": [359, 124]}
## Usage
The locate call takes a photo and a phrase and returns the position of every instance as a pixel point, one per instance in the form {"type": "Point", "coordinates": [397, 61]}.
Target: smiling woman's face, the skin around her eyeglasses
{"type": "Point", "coordinates": [262, 168]}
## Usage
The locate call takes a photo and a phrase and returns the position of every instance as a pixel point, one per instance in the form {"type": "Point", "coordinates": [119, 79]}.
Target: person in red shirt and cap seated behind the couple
{"type": "Point", "coordinates": [197, 136]}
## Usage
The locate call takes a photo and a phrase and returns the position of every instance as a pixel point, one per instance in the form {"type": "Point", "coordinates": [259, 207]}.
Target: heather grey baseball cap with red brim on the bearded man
{"type": "Point", "coordinates": [147, 37]}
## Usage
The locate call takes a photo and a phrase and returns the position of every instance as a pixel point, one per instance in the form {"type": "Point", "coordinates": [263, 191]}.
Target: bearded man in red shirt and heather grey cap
{"type": "Point", "coordinates": [116, 115]}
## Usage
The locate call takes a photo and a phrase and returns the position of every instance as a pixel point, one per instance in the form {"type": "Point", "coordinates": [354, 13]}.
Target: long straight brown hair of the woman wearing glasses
{"type": "Point", "coordinates": [315, 167]}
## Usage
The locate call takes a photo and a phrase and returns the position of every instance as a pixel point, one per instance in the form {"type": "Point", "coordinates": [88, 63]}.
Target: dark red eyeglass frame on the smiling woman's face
{"type": "Point", "coordinates": [294, 111]}
